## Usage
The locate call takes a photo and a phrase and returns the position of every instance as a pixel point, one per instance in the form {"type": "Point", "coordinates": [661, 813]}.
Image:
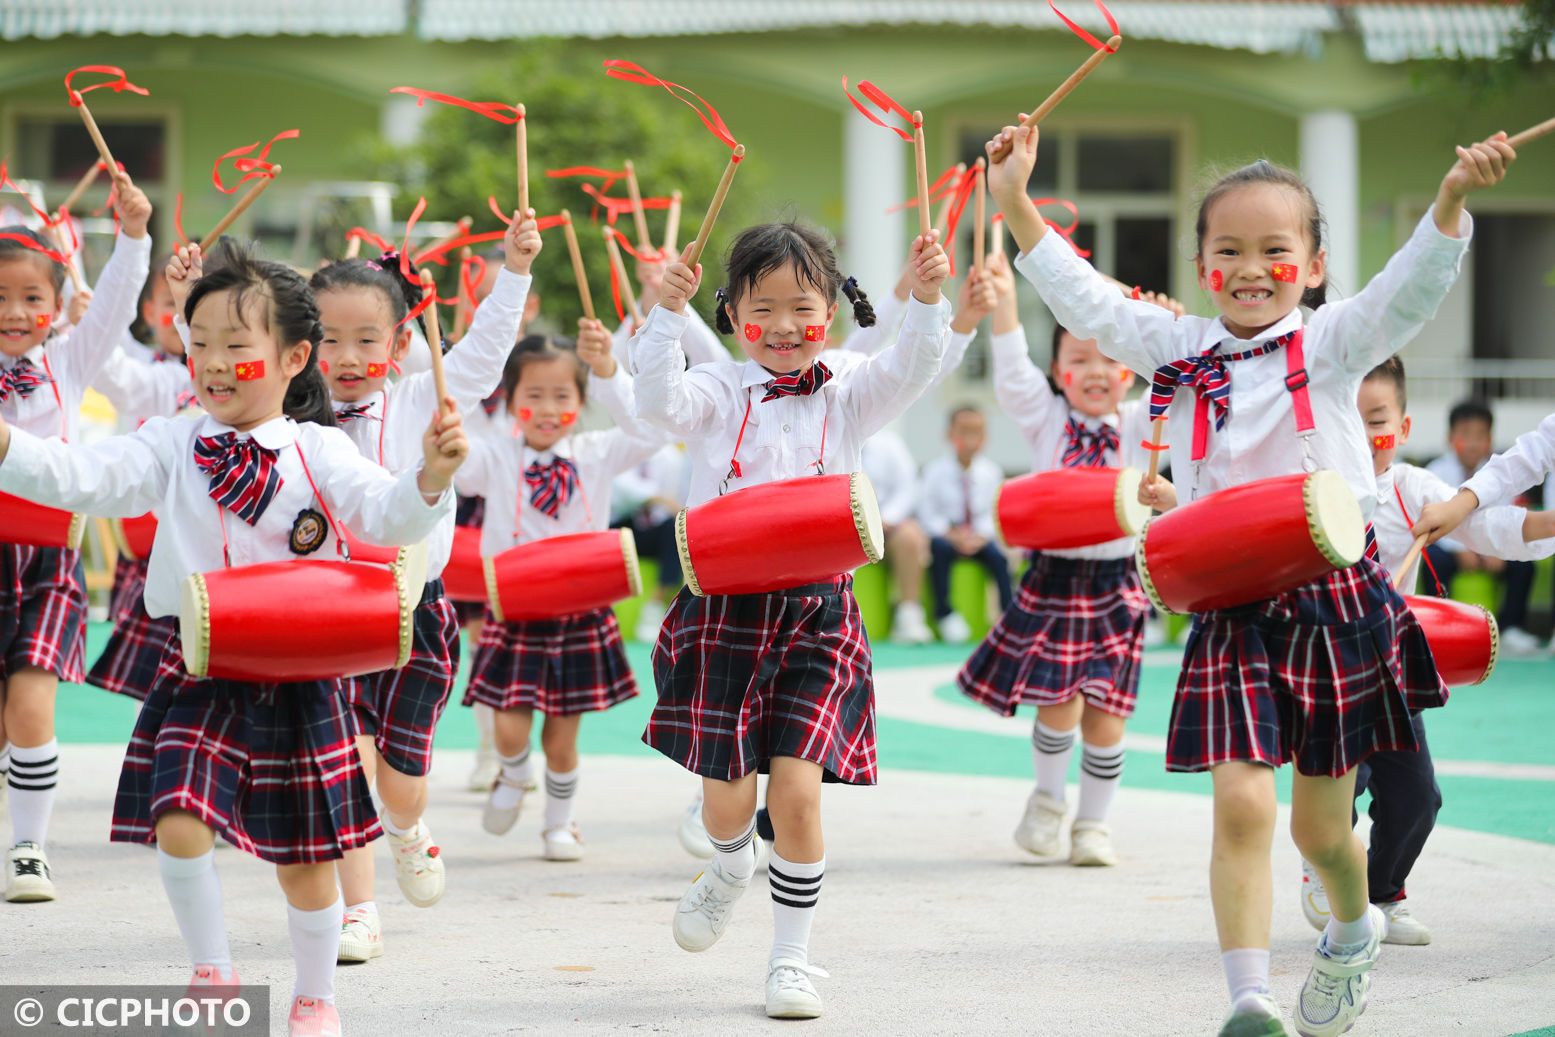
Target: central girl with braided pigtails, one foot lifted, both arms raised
{"type": "Point", "coordinates": [775, 682]}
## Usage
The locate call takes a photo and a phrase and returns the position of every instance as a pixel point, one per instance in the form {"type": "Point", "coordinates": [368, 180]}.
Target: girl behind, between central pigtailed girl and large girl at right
{"type": "Point", "coordinates": [1075, 638]}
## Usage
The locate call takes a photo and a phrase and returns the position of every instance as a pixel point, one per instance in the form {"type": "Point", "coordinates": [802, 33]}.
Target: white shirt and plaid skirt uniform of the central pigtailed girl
{"type": "Point", "coordinates": [750, 677]}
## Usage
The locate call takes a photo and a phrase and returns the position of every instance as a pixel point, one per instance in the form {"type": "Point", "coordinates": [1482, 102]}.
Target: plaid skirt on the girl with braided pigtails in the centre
{"type": "Point", "coordinates": [744, 679]}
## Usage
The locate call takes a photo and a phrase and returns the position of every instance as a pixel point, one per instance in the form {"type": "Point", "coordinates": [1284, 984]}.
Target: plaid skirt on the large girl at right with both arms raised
{"type": "Point", "coordinates": [1323, 676]}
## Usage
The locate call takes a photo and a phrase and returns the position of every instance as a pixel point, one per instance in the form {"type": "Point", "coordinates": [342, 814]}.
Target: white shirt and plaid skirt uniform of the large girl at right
{"type": "Point", "coordinates": [1333, 671]}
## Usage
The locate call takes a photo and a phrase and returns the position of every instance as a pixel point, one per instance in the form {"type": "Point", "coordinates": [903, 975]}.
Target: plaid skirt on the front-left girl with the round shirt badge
{"type": "Point", "coordinates": [271, 767]}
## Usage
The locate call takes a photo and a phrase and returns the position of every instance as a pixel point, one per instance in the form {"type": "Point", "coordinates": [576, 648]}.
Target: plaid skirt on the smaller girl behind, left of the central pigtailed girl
{"type": "Point", "coordinates": [564, 668]}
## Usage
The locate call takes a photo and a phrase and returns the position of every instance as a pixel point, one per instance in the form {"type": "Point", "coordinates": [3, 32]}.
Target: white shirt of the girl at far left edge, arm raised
{"type": "Point", "coordinates": [74, 360]}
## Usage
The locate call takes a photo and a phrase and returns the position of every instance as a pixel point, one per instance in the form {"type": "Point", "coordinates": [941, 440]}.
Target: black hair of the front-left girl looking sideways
{"type": "Point", "coordinates": [292, 316]}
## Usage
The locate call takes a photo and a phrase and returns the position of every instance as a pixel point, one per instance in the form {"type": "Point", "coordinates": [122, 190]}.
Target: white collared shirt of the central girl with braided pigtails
{"type": "Point", "coordinates": [783, 439]}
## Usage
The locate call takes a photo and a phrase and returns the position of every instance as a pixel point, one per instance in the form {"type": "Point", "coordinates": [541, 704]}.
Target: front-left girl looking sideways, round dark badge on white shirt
{"type": "Point", "coordinates": [271, 767]}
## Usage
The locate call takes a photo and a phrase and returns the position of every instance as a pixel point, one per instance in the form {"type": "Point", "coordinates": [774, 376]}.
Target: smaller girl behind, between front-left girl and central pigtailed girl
{"type": "Point", "coordinates": [547, 481]}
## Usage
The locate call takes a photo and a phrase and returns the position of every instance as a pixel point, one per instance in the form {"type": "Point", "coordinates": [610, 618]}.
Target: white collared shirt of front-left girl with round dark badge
{"type": "Point", "coordinates": [155, 469]}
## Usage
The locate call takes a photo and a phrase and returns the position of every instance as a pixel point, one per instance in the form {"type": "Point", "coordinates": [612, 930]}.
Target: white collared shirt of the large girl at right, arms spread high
{"type": "Point", "coordinates": [1344, 341]}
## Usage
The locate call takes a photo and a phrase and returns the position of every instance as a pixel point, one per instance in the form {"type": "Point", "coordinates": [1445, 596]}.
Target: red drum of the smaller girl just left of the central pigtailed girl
{"type": "Point", "coordinates": [562, 576]}
